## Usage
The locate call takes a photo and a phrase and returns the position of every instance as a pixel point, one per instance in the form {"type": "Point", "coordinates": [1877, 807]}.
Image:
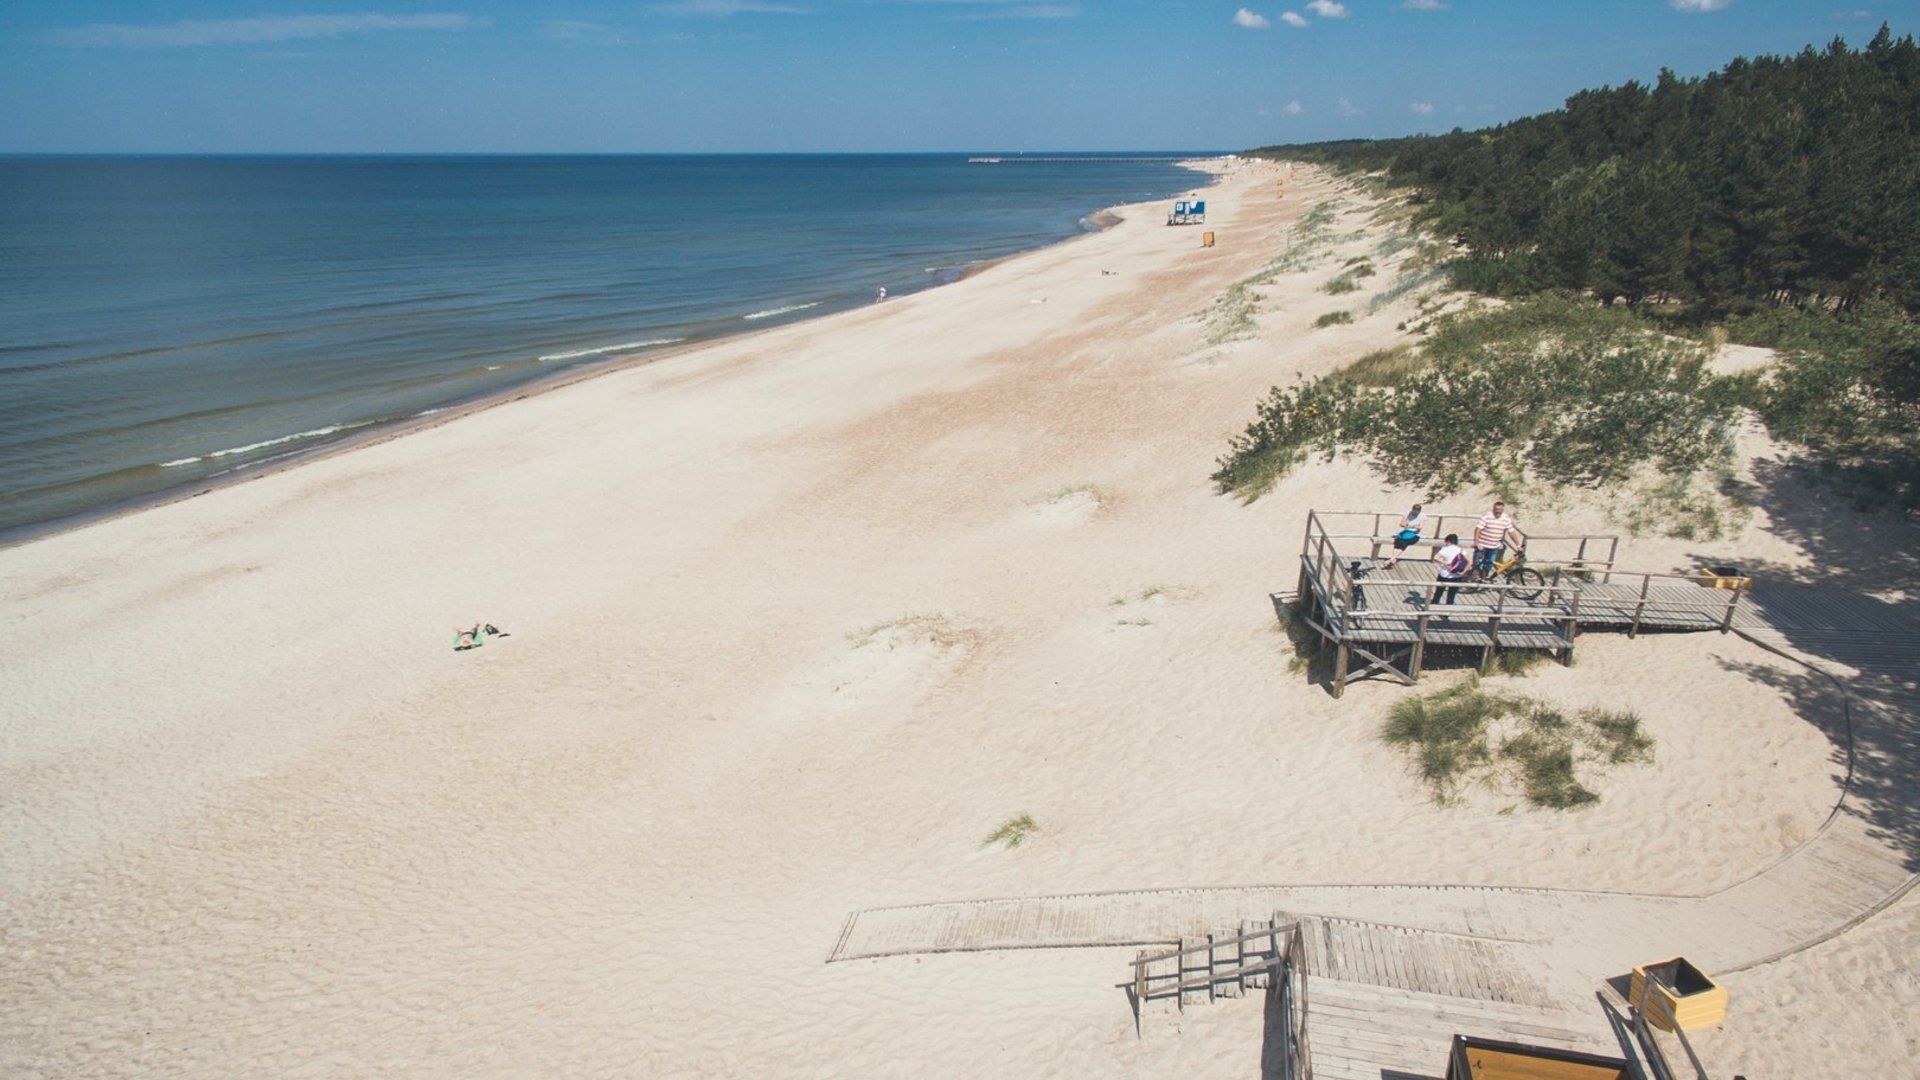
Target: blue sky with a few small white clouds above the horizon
{"type": "Point", "coordinates": [842, 76]}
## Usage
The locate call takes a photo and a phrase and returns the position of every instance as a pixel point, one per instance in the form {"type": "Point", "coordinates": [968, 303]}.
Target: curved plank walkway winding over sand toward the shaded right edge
{"type": "Point", "coordinates": [1564, 943]}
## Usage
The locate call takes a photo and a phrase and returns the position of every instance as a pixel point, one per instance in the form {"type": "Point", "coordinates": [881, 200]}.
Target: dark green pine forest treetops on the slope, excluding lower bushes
{"type": "Point", "coordinates": [1771, 182]}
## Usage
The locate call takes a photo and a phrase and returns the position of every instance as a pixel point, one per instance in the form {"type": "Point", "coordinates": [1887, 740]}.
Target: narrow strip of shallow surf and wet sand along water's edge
{"type": "Point", "coordinates": [460, 408]}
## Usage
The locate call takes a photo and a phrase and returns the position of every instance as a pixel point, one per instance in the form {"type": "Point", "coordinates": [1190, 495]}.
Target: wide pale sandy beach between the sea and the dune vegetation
{"type": "Point", "coordinates": [796, 622]}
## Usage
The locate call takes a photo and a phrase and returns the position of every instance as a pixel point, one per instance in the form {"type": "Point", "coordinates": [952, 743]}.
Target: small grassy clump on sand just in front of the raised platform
{"type": "Point", "coordinates": [1452, 733]}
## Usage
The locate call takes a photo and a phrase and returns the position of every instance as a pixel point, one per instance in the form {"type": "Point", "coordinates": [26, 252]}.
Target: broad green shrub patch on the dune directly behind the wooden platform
{"type": "Point", "coordinates": [1548, 389]}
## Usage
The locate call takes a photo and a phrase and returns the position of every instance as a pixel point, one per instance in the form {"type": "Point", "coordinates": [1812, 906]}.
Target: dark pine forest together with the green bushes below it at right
{"type": "Point", "coordinates": [1781, 191]}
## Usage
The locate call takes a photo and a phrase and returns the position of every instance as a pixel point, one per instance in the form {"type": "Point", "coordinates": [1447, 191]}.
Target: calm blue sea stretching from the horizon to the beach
{"type": "Point", "coordinates": [168, 320]}
